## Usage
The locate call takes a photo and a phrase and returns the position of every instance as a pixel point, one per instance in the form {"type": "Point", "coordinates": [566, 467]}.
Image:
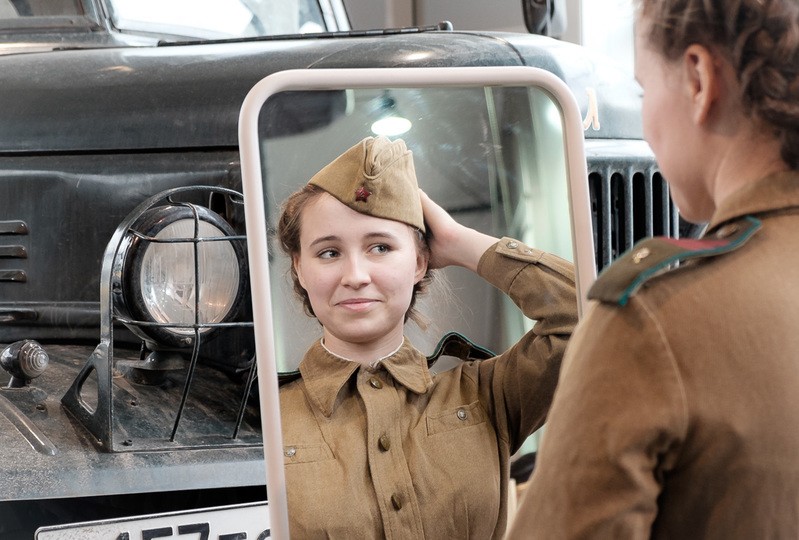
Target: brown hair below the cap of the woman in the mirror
{"type": "Point", "coordinates": [288, 234]}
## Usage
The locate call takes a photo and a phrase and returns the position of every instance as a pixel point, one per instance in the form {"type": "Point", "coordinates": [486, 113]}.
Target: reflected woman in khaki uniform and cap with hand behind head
{"type": "Point", "coordinates": [375, 445]}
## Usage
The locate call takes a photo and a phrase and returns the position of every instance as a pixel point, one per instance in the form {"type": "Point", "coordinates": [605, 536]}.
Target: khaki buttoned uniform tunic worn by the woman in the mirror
{"type": "Point", "coordinates": [396, 452]}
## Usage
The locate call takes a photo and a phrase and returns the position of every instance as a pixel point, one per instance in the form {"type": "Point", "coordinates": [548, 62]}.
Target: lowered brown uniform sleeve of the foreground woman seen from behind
{"type": "Point", "coordinates": [617, 422]}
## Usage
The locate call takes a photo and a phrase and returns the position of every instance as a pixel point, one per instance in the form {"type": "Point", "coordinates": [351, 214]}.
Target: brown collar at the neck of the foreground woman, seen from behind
{"type": "Point", "coordinates": [778, 191]}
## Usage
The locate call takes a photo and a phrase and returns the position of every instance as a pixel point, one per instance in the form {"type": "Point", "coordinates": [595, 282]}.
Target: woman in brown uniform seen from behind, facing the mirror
{"type": "Point", "coordinates": [677, 409]}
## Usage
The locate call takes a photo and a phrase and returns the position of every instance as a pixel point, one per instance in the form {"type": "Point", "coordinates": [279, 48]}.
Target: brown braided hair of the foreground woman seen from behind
{"type": "Point", "coordinates": [760, 38]}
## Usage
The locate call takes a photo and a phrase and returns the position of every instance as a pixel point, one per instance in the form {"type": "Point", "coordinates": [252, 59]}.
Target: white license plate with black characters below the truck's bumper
{"type": "Point", "coordinates": [238, 522]}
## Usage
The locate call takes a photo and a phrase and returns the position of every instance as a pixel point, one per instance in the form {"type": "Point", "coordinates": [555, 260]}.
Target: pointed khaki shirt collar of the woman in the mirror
{"type": "Point", "coordinates": [325, 374]}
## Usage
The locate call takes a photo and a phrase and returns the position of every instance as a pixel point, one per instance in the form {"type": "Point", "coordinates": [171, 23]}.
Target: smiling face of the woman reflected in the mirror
{"type": "Point", "coordinates": [359, 272]}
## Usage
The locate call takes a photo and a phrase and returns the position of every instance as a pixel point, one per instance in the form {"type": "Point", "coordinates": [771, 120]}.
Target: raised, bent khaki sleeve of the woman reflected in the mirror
{"type": "Point", "coordinates": [518, 385]}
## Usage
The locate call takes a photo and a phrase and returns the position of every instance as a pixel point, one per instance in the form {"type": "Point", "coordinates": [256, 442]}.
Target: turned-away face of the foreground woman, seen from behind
{"type": "Point", "coordinates": [669, 127]}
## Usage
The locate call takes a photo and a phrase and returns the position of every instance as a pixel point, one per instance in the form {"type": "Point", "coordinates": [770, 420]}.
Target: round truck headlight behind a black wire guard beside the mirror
{"type": "Point", "coordinates": [163, 282]}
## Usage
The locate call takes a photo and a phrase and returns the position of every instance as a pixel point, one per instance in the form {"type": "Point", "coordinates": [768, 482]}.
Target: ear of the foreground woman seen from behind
{"type": "Point", "coordinates": [702, 81]}
